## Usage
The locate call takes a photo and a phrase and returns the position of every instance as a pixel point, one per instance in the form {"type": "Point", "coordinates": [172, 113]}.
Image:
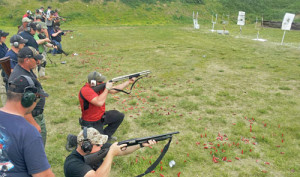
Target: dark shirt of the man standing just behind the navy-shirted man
{"type": "Point", "coordinates": [18, 70]}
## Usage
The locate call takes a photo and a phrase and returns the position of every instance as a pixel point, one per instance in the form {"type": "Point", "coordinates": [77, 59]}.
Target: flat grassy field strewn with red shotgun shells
{"type": "Point", "coordinates": [229, 96]}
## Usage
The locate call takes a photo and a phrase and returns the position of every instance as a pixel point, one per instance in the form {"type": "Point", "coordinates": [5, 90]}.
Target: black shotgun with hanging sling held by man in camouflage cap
{"type": "Point", "coordinates": [94, 158]}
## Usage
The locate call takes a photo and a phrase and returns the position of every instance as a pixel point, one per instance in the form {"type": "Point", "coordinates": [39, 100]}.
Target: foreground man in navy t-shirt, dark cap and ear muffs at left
{"type": "Point", "coordinates": [22, 150]}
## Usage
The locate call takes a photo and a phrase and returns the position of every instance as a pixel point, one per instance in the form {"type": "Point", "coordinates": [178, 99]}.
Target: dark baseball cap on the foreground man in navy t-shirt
{"type": "Point", "coordinates": [22, 84]}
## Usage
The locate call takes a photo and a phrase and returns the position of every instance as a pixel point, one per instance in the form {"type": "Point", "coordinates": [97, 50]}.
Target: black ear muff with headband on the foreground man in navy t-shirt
{"type": "Point", "coordinates": [29, 96]}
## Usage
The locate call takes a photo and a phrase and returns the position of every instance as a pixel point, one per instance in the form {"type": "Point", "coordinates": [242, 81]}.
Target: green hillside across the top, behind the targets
{"type": "Point", "coordinates": [145, 12]}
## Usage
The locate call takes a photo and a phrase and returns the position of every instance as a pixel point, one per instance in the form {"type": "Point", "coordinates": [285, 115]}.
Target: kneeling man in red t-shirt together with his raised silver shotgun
{"type": "Point", "coordinates": [92, 97]}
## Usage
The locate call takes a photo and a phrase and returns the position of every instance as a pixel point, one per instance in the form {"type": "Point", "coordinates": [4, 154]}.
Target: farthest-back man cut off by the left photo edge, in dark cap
{"type": "Point", "coordinates": [3, 51]}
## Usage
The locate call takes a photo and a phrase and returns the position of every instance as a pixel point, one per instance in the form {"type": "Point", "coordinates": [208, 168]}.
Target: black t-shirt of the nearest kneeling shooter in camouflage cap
{"type": "Point", "coordinates": [76, 167]}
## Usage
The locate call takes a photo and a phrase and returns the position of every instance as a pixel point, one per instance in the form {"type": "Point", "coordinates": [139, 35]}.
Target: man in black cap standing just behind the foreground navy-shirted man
{"type": "Point", "coordinates": [27, 61]}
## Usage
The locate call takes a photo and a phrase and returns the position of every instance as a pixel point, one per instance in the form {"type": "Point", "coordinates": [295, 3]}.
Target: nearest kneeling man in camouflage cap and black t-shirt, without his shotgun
{"type": "Point", "coordinates": [89, 140]}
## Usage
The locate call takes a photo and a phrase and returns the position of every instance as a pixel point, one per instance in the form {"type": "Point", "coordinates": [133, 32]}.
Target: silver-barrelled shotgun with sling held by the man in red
{"type": "Point", "coordinates": [100, 87]}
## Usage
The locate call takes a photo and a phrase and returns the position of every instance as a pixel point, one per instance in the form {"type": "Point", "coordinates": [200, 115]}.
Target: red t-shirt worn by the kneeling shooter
{"type": "Point", "coordinates": [93, 113]}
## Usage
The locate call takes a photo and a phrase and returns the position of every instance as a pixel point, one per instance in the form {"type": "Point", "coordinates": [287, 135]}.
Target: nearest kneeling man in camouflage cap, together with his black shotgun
{"type": "Point", "coordinates": [93, 156]}
